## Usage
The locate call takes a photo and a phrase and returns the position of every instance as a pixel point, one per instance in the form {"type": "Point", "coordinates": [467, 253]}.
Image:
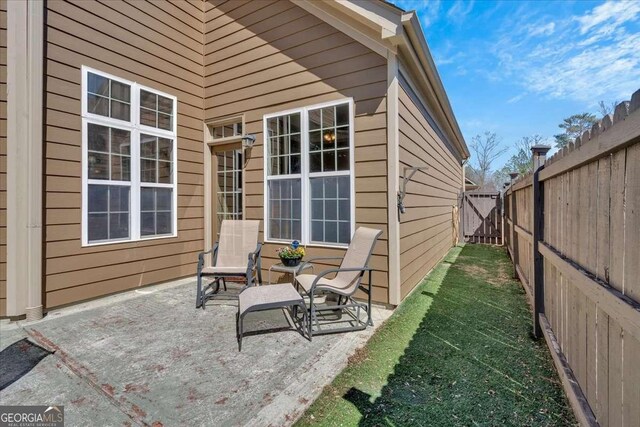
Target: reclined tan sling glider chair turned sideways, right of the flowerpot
{"type": "Point", "coordinates": [347, 280]}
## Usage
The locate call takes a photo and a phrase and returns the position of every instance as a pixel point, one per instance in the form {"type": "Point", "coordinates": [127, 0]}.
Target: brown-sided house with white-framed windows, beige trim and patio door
{"type": "Point", "coordinates": [124, 149]}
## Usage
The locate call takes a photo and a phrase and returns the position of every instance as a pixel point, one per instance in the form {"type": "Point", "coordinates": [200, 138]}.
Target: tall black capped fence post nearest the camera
{"type": "Point", "coordinates": [539, 154]}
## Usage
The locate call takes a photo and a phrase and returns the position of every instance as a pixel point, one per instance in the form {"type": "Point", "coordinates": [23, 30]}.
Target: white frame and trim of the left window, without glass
{"type": "Point", "coordinates": [135, 183]}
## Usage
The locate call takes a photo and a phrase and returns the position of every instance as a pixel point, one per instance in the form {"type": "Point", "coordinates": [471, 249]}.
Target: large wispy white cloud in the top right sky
{"type": "Point", "coordinates": [583, 58]}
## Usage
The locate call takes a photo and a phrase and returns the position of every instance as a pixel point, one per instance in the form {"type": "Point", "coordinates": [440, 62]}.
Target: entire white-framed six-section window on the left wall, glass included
{"type": "Point", "coordinates": [129, 173]}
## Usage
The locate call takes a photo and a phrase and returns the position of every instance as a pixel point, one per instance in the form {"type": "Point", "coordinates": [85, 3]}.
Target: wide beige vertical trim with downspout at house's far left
{"type": "Point", "coordinates": [25, 50]}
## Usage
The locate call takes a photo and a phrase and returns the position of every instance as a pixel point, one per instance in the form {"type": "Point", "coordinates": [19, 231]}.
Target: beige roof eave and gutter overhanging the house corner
{"type": "Point", "coordinates": [390, 27]}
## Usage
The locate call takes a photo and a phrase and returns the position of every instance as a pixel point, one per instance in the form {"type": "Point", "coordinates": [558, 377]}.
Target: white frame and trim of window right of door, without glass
{"type": "Point", "coordinates": [305, 175]}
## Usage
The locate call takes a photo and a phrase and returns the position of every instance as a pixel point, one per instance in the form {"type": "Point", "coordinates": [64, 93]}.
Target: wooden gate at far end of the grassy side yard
{"type": "Point", "coordinates": [482, 217]}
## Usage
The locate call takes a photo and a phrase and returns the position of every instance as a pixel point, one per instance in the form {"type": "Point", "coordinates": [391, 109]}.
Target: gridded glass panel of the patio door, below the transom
{"type": "Point", "coordinates": [229, 185]}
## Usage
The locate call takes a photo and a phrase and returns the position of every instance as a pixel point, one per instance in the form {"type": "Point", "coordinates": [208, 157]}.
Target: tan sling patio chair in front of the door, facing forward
{"type": "Point", "coordinates": [236, 254]}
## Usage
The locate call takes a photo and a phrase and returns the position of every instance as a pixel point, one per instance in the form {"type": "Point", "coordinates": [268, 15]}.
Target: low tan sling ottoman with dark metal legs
{"type": "Point", "coordinates": [259, 298]}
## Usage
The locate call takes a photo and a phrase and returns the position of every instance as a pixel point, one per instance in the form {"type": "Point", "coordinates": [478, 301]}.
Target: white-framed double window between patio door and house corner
{"type": "Point", "coordinates": [309, 194]}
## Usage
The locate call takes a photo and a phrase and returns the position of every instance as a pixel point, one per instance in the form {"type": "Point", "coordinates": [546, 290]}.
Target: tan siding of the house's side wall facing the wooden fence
{"type": "Point", "coordinates": [426, 228]}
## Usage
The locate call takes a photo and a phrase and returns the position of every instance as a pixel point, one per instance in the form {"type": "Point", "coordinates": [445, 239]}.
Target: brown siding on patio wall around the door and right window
{"type": "Point", "coordinates": [270, 56]}
